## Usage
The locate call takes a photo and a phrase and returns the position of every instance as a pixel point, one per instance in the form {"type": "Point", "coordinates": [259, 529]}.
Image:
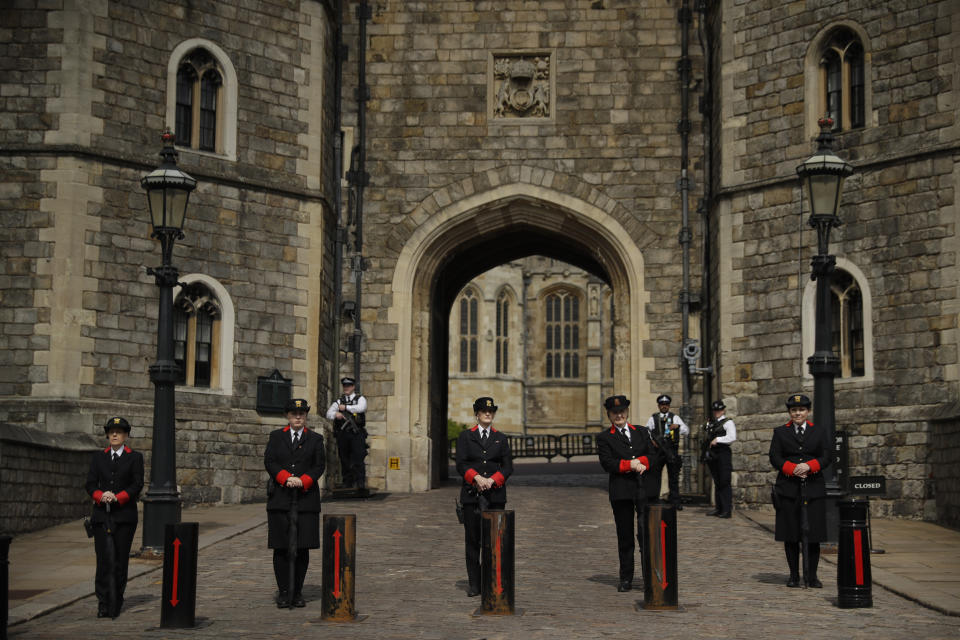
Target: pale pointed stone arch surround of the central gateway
{"type": "Point", "coordinates": [462, 231]}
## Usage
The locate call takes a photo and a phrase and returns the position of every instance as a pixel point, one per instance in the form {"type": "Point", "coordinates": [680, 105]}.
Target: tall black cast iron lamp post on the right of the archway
{"type": "Point", "coordinates": [822, 176]}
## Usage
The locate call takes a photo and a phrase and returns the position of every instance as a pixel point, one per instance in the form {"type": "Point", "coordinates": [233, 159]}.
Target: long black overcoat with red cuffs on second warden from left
{"type": "Point", "coordinates": [307, 462]}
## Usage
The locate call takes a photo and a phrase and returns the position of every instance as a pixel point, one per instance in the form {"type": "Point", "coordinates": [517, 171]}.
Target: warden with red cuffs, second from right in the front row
{"type": "Point", "coordinates": [624, 452]}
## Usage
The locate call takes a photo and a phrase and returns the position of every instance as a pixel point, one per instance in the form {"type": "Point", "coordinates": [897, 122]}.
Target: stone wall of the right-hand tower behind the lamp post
{"type": "Point", "coordinates": [898, 232]}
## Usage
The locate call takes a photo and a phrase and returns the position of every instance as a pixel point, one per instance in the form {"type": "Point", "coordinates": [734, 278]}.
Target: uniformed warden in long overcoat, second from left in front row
{"type": "Point", "coordinates": [295, 460]}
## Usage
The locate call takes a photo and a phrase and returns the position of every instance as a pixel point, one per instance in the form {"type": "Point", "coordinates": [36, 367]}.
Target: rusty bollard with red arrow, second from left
{"type": "Point", "coordinates": [339, 567]}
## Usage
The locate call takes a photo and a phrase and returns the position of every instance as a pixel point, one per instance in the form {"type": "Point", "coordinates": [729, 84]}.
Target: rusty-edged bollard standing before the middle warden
{"type": "Point", "coordinates": [496, 563]}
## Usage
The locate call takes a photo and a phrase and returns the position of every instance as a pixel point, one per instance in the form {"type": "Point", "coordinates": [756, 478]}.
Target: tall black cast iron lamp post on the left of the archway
{"type": "Point", "coordinates": [168, 189]}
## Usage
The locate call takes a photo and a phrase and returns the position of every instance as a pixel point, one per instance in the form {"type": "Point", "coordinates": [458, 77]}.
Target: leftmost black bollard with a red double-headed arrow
{"type": "Point", "coordinates": [178, 604]}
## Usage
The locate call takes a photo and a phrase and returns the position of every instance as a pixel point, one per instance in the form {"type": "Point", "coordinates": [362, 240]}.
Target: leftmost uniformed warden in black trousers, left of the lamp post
{"type": "Point", "coordinates": [116, 479]}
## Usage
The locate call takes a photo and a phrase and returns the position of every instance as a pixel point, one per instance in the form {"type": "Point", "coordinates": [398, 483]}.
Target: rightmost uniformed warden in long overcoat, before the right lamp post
{"type": "Point", "coordinates": [800, 452]}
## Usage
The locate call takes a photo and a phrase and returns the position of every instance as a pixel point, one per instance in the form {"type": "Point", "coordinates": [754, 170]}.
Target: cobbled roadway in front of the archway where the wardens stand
{"type": "Point", "coordinates": [411, 580]}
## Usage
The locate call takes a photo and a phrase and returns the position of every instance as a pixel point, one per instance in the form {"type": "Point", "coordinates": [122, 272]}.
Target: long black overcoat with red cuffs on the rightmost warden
{"type": "Point", "coordinates": [787, 450]}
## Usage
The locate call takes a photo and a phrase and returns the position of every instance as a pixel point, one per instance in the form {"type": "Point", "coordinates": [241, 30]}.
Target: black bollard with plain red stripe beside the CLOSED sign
{"type": "Point", "coordinates": [853, 554]}
